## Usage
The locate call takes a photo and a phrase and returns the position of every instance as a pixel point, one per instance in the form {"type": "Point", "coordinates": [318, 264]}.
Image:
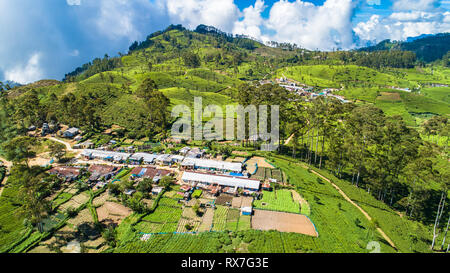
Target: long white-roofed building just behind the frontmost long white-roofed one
{"type": "Point", "coordinates": [211, 165]}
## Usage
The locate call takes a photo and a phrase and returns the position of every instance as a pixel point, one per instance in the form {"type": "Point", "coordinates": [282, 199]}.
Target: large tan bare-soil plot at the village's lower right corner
{"type": "Point", "coordinates": [283, 222]}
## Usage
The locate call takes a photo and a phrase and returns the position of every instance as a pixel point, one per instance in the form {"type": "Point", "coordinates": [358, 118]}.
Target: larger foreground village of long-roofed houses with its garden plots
{"type": "Point", "coordinates": [207, 192]}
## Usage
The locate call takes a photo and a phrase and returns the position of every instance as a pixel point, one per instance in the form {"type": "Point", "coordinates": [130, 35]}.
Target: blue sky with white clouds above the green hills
{"type": "Point", "coordinates": [46, 39]}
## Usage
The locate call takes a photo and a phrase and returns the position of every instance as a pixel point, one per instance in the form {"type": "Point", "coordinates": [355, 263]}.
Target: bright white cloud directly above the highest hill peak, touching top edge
{"type": "Point", "coordinates": [218, 13]}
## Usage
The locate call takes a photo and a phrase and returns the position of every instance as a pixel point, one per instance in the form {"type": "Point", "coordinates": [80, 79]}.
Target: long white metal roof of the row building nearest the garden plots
{"type": "Point", "coordinates": [222, 180]}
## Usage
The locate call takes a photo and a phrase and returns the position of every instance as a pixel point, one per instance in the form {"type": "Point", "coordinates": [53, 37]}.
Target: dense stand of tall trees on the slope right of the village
{"type": "Point", "coordinates": [374, 151]}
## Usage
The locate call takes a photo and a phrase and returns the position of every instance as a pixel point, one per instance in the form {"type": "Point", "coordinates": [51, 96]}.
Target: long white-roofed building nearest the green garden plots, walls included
{"type": "Point", "coordinates": [204, 180]}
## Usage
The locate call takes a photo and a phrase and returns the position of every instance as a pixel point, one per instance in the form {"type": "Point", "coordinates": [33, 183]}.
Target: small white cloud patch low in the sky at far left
{"type": "Point", "coordinates": [30, 72]}
